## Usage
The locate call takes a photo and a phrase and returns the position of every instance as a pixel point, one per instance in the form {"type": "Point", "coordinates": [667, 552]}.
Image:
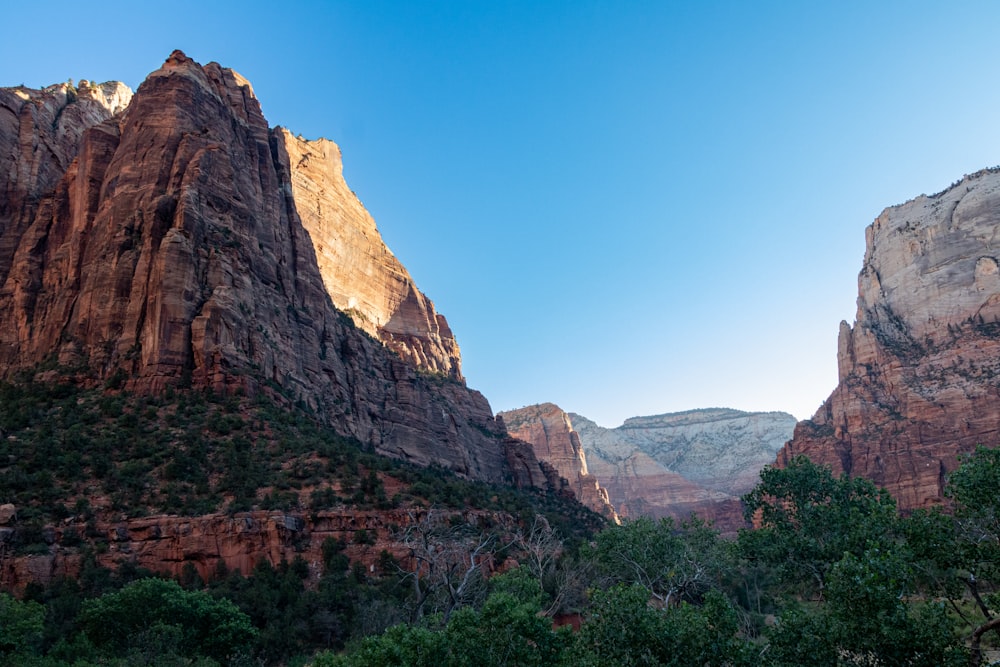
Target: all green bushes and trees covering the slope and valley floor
{"type": "Point", "coordinates": [829, 575]}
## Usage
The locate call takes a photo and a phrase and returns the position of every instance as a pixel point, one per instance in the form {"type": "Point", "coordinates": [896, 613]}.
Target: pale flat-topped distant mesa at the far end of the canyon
{"type": "Point", "coordinates": [677, 464]}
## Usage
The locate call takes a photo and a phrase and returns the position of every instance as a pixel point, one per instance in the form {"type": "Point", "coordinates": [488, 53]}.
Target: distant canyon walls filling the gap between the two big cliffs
{"type": "Point", "coordinates": [698, 462]}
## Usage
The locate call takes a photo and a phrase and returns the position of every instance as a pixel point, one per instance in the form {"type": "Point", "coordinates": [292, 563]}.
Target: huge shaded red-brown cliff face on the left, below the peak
{"type": "Point", "coordinates": [171, 252]}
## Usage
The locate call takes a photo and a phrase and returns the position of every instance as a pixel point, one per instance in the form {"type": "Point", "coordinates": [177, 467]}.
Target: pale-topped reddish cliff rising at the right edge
{"type": "Point", "coordinates": [920, 368]}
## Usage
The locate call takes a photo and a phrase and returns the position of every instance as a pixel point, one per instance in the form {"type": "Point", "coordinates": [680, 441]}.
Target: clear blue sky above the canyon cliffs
{"type": "Point", "coordinates": [624, 208]}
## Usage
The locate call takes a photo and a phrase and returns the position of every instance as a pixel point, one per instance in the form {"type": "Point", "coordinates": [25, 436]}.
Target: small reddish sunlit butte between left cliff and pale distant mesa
{"type": "Point", "coordinates": [549, 431]}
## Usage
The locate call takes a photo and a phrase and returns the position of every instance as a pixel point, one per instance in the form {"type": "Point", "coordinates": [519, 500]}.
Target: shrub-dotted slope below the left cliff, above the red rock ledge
{"type": "Point", "coordinates": [192, 453]}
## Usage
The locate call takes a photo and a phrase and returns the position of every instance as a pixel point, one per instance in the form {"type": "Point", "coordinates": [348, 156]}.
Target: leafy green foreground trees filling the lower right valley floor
{"type": "Point", "coordinates": [831, 575]}
